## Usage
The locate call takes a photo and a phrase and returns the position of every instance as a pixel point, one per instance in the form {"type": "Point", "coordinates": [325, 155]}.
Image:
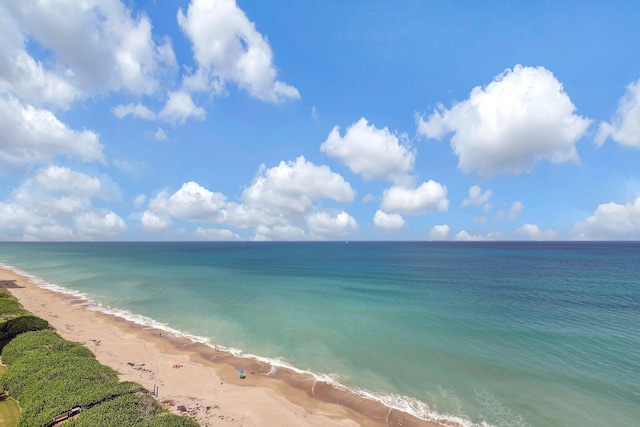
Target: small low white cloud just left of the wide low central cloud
{"type": "Point", "coordinates": [191, 202]}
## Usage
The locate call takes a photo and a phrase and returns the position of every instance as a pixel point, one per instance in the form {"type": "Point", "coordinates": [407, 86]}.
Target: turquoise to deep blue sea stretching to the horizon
{"type": "Point", "coordinates": [508, 334]}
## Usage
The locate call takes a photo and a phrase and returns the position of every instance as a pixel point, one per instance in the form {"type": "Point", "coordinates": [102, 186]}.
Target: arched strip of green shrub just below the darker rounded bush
{"type": "Point", "coordinates": [40, 340]}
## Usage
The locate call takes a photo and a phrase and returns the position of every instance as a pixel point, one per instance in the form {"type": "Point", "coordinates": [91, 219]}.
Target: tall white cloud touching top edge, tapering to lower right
{"type": "Point", "coordinates": [227, 47]}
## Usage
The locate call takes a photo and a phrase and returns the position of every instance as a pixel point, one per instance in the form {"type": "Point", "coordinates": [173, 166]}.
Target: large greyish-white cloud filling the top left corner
{"type": "Point", "coordinates": [96, 45]}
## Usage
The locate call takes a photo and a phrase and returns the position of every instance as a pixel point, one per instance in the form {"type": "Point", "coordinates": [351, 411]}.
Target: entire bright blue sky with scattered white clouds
{"type": "Point", "coordinates": [319, 120]}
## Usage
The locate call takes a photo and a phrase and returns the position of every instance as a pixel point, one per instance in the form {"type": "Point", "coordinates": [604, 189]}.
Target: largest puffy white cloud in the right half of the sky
{"type": "Point", "coordinates": [520, 118]}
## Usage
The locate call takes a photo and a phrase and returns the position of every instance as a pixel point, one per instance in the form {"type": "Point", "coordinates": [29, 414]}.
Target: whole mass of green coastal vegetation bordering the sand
{"type": "Point", "coordinates": [49, 375]}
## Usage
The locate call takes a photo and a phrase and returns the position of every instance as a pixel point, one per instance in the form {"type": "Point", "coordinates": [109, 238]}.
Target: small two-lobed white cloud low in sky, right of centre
{"type": "Point", "coordinates": [430, 195]}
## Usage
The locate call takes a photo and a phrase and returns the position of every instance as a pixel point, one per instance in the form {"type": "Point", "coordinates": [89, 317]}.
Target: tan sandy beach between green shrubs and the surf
{"type": "Point", "coordinates": [198, 380]}
